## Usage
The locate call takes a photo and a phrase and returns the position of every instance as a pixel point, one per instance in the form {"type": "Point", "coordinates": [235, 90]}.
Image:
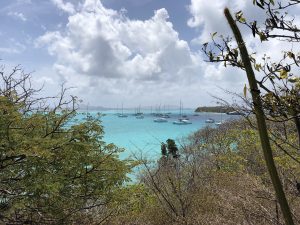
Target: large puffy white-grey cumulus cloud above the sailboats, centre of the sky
{"type": "Point", "coordinates": [103, 47]}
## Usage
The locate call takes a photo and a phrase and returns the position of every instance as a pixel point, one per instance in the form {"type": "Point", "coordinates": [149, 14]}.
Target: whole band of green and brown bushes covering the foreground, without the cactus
{"type": "Point", "coordinates": [55, 170]}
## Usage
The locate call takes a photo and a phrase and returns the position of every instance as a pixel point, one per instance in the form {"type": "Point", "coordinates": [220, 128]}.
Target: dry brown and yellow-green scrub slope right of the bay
{"type": "Point", "coordinates": [220, 177]}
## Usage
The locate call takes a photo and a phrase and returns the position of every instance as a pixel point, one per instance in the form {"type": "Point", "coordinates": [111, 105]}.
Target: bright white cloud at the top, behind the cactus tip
{"type": "Point", "coordinates": [208, 17]}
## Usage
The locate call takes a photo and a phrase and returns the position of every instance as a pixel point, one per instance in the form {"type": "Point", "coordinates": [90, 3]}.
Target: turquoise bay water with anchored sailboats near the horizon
{"type": "Point", "coordinates": [143, 137]}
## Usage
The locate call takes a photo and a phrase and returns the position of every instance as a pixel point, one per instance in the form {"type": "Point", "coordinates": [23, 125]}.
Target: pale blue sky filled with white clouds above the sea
{"type": "Point", "coordinates": [135, 52]}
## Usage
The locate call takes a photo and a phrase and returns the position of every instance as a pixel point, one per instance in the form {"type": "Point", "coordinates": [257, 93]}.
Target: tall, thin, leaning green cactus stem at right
{"type": "Point", "coordinates": [261, 123]}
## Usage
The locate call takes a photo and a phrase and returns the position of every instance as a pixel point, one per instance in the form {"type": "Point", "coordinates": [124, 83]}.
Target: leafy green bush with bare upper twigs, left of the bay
{"type": "Point", "coordinates": [53, 171]}
